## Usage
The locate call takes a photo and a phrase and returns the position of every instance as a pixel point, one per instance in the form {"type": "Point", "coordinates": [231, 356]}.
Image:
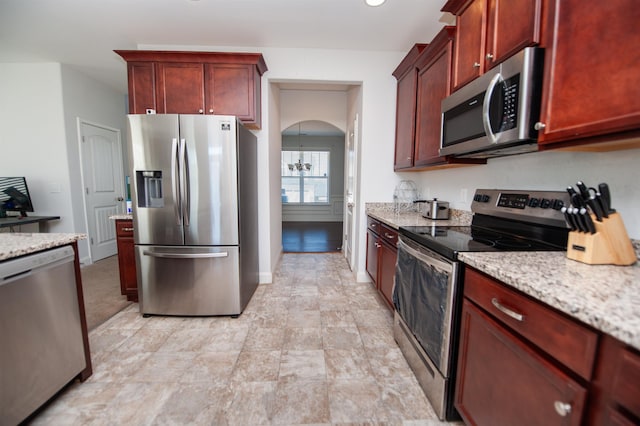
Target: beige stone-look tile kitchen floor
{"type": "Point", "coordinates": [313, 347]}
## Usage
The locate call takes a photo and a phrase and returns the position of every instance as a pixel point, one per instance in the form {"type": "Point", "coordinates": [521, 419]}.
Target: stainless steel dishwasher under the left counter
{"type": "Point", "coordinates": [41, 346]}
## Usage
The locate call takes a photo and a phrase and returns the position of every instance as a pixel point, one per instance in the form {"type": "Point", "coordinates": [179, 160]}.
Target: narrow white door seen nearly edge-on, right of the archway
{"type": "Point", "coordinates": [350, 194]}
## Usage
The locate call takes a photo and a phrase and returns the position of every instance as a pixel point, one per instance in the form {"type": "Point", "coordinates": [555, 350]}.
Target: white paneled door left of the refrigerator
{"type": "Point", "coordinates": [102, 178]}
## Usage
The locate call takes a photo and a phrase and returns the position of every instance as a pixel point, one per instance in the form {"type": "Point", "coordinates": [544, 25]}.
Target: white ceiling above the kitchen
{"type": "Point", "coordinates": [84, 33]}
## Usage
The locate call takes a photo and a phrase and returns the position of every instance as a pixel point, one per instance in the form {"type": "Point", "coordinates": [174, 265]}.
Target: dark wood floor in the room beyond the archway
{"type": "Point", "coordinates": [311, 237]}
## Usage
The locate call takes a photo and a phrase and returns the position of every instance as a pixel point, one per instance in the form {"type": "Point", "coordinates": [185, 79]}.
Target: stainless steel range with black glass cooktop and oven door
{"type": "Point", "coordinates": [428, 281]}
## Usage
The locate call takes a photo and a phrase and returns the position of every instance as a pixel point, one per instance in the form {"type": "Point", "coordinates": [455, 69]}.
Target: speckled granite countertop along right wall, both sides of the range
{"type": "Point", "coordinates": [603, 296]}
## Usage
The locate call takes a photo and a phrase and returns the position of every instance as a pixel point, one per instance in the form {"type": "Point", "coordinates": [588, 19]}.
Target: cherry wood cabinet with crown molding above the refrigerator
{"type": "Point", "coordinates": [196, 83]}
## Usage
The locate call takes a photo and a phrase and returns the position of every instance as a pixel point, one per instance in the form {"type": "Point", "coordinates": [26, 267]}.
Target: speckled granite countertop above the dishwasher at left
{"type": "Point", "coordinates": [19, 244]}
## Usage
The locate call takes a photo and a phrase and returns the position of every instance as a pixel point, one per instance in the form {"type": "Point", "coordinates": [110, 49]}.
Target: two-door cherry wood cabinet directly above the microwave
{"type": "Point", "coordinates": [490, 31]}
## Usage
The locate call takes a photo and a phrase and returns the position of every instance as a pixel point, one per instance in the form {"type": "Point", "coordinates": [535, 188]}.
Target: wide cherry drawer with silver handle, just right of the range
{"type": "Point", "coordinates": [567, 341]}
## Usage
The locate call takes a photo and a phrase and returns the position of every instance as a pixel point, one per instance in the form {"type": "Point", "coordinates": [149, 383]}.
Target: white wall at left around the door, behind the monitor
{"type": "Point", "coordinates": [39, 110]}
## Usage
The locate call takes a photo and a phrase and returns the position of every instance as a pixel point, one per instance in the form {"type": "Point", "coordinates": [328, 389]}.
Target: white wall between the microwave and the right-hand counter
{"type": "Point", "coordinates": [545, 171]}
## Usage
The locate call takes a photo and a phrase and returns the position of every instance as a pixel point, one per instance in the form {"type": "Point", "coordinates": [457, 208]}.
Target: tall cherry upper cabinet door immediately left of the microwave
{"type": "Point", "coordinates": [433, 87]}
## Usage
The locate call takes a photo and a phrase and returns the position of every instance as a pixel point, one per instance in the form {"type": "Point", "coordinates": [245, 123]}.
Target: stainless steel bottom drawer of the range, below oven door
{"type": "Point", "coordinates": [431, 381]}
